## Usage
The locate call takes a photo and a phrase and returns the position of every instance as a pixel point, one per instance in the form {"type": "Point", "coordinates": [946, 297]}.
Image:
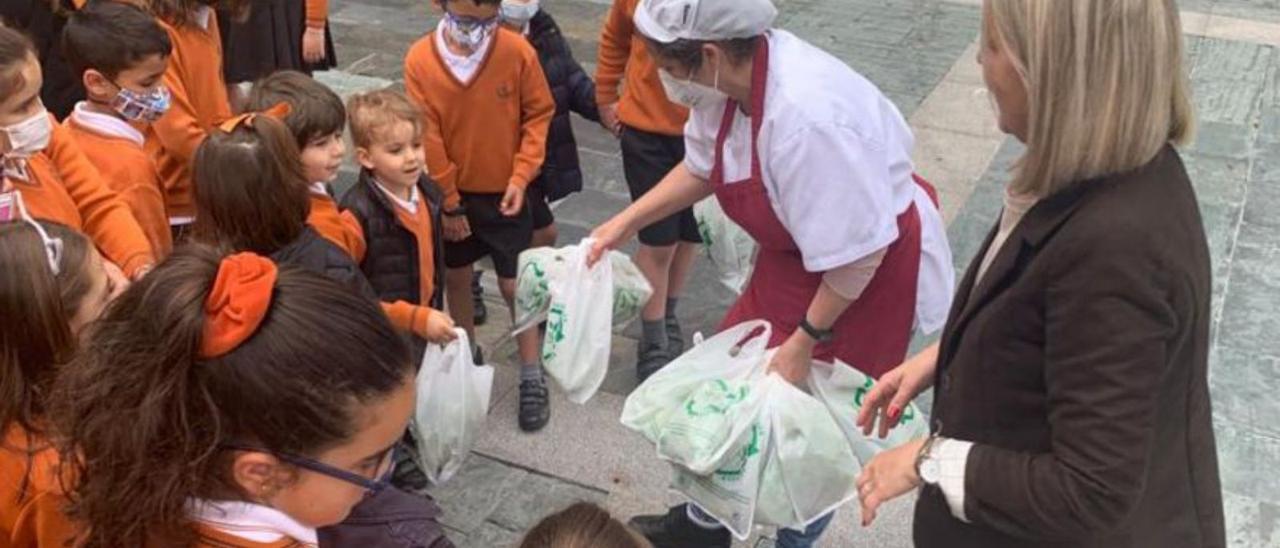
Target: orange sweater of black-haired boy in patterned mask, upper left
{"type": "Point", "coordinates": [127, 168]}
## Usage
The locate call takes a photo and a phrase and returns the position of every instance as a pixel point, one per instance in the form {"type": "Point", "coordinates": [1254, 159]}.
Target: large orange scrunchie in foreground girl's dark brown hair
{"type": "Point", "coordinates": [237, 304]}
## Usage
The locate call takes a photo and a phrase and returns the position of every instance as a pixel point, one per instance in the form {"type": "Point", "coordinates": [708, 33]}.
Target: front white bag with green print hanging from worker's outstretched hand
{"type": "Point", "coordinates": [579, 326]}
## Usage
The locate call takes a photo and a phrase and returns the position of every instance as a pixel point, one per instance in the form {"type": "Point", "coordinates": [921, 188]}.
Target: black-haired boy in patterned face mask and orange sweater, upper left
{"type": "Point", "coordinates": [122, 56]}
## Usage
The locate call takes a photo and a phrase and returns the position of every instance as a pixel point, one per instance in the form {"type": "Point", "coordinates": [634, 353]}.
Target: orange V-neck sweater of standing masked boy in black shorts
{"type": "Point", "coordinates": [491, 133]}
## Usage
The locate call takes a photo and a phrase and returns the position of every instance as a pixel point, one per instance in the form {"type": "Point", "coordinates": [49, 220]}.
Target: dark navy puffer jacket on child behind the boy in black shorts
{"type": "Point", "coordinates": [574, 93]}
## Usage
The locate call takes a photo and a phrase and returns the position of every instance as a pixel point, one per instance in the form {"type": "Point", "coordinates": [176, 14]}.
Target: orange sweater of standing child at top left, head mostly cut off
{"type": "Point", "coordinates": [195, 80]}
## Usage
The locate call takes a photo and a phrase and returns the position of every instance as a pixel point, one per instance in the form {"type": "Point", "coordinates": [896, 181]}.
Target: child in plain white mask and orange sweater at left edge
{"type": "Point", "coordinates": [40, 161]}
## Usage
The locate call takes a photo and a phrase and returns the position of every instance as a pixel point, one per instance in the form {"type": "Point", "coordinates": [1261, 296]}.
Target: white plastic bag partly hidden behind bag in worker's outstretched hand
{"type": "Point", "coordinates": [542, 266]}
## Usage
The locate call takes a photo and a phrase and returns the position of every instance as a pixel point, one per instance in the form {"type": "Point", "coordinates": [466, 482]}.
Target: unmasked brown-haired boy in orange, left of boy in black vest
{"type": "Point", "coordinates": [317, 120]}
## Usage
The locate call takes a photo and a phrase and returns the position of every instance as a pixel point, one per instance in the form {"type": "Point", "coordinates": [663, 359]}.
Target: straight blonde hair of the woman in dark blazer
{"type": "Point", "coordinates": [1105, 83]}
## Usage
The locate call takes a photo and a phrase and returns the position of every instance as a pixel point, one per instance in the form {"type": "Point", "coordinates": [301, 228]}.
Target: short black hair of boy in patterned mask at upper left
{"type": "Point", "coordinates": [112, 38]}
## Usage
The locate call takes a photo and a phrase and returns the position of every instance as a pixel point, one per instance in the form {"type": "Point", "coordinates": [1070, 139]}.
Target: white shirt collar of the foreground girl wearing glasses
{"type": "Point", "coordinates": [250, 522]}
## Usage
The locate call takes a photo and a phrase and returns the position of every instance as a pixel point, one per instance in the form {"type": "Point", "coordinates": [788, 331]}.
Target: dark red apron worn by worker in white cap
{"type": "Point", "coordinates": [875, 331]}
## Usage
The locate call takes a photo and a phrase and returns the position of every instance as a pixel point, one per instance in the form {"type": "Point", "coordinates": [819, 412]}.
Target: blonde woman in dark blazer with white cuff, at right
{"type": "Point", "coordinates": [1072, 405]}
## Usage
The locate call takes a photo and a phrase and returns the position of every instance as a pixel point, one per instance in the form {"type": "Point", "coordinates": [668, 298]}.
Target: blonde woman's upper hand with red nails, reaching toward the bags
{"type": "Point", "coordinates": [895, 391]}
